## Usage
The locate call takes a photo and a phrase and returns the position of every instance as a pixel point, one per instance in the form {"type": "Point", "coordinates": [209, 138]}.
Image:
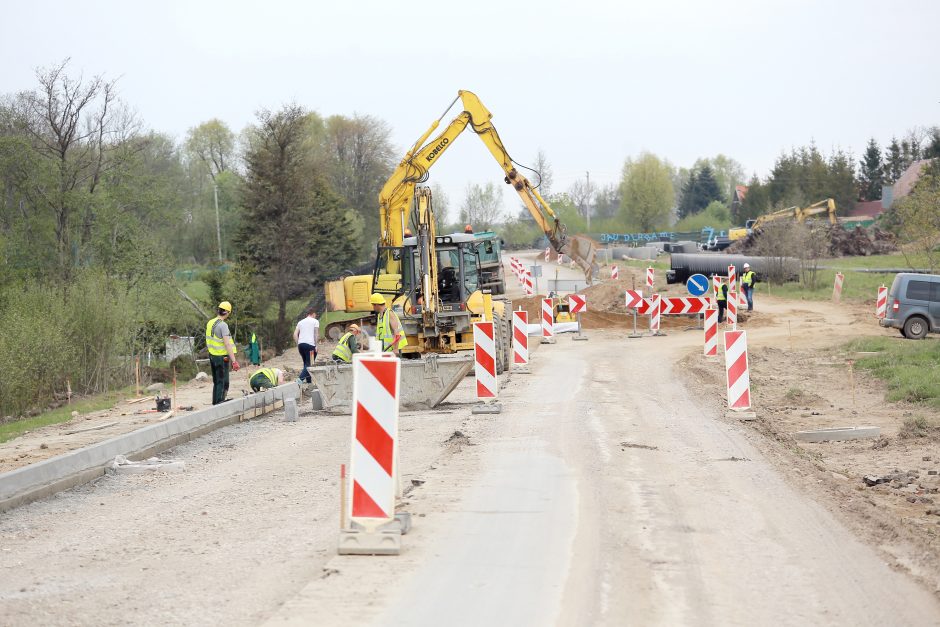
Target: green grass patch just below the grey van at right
{"type": "Point", "coordinates": [908, 368]}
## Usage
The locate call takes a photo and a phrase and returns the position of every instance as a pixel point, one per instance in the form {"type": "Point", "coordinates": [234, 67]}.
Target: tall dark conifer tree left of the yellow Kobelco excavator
{"type": "Point", "coordinates": [297, 231]}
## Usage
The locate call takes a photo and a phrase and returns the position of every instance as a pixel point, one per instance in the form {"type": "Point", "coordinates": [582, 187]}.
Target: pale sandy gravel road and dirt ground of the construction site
{"type": "Point", "coordinates": [614, 488]}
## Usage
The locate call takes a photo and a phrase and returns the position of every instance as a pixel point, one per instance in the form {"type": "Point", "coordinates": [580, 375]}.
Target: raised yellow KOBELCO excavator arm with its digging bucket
{"type": "Point", "coordinates": [396, 196]}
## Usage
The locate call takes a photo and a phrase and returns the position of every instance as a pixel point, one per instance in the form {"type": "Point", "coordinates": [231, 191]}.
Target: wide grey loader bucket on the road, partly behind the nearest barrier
{"type": "Point", "coordinates": [425, 382]}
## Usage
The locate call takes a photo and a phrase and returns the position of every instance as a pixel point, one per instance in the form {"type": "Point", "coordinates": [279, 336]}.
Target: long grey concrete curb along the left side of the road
{"type": "Point", "coordinates": [68, 470]}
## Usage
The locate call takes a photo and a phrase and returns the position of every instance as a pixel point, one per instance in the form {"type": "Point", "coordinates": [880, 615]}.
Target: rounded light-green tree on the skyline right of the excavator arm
{"type": "Point", "coordinates": [647, 197]}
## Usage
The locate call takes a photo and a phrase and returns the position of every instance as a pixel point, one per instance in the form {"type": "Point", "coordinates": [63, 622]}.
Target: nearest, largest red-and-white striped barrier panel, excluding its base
{"type": "Point", "coordinates": [374, 453]}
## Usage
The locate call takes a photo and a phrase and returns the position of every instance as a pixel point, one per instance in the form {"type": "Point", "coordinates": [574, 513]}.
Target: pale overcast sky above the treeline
{"type": "Point", "coordinates": [588, 82]}
